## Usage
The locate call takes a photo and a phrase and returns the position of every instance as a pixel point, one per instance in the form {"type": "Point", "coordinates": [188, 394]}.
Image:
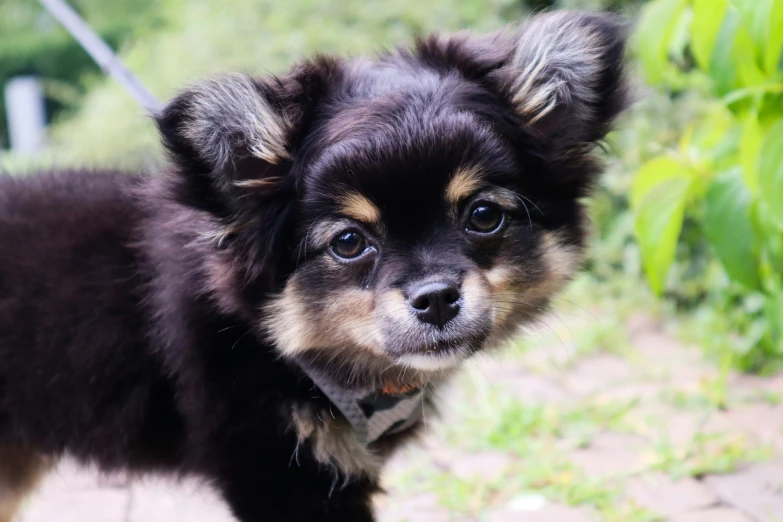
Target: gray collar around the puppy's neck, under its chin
{"type": "Point", "coordinates": [373, 413]}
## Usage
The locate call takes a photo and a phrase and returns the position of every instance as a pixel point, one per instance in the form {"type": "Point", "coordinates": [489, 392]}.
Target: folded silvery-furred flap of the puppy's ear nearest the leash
{"type": "Point", "coordinates": [221, 135]}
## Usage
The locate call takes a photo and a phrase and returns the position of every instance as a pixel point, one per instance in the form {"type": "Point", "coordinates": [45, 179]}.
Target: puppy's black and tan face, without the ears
{"type": "Point", "coordinates": [419, 238]}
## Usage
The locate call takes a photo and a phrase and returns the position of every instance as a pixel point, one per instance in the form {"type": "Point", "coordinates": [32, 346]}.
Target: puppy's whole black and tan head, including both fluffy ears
{"type": "Point", "coordinates": [409, 210]}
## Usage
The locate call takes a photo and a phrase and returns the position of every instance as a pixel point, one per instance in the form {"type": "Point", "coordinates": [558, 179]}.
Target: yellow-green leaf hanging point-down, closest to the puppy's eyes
{"type": "Point", "coordinates": [658, 224]}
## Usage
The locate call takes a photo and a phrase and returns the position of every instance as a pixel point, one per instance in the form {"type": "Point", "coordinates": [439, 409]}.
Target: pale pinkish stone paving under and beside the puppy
{"type": "Point", "coordinates": [694, 446]}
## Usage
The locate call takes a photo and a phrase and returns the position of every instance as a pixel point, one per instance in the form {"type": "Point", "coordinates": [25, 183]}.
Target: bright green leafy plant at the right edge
{"type": "Point", "coordinates": [726, 173]}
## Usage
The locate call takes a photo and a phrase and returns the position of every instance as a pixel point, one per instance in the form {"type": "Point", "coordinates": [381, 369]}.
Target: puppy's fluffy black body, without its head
{"type": "Point", "coordinates": [92, 367]}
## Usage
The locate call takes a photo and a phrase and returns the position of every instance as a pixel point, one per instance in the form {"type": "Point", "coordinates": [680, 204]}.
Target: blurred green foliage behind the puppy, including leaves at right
{"type": "Point", "coordinates": [693, 196]}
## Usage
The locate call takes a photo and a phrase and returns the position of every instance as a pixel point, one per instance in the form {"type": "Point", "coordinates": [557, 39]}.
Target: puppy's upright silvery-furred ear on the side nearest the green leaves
{"type": "Point", "coordinates": [564, 75]}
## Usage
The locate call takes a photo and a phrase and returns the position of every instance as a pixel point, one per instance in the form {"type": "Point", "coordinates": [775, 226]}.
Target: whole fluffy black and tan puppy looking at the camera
{"type": "Point", "coordinates": [274, 309]}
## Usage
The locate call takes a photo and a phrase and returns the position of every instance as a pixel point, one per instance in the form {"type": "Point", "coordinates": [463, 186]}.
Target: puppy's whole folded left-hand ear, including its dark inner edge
{"type": "Point", "coordinates": [231, 138]}
